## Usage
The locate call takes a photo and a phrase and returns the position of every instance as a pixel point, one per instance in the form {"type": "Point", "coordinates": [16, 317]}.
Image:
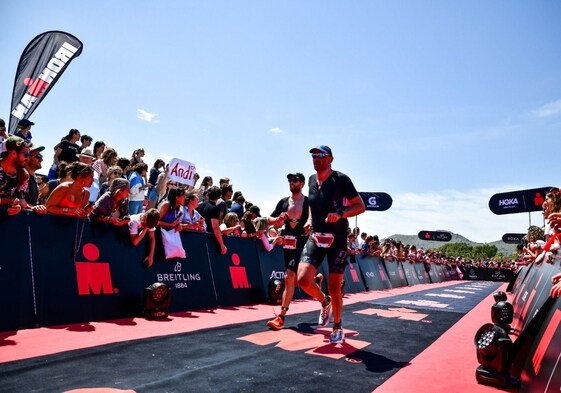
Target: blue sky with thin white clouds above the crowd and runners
{"type": "Point", "coordinates": [440, 104]}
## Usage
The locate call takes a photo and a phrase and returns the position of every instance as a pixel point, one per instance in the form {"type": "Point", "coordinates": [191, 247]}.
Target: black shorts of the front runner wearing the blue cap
{"type": "Point", "coordinates": [336, 254]}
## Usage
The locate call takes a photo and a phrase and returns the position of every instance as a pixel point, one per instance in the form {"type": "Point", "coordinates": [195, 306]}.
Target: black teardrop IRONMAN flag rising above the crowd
{"type": "Point", "coordinates": [43, 61]}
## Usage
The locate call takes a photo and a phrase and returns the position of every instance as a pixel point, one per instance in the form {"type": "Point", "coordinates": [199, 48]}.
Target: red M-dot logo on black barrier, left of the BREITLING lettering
{"type": "Point", "coordinates": [93, 278]}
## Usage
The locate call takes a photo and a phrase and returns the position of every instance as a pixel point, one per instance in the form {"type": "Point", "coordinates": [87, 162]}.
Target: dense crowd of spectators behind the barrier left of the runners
{"type": "Point", "coordinates": [92, 180]}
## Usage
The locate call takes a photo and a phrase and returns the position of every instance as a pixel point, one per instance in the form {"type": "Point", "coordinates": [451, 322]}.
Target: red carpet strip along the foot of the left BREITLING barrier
{"type": "Point", "coordinates": [43, 341]}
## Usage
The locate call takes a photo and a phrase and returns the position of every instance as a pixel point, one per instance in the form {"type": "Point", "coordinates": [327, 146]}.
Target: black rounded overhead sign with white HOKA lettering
{"type": "Point", "coordinates": [518, 201]}
